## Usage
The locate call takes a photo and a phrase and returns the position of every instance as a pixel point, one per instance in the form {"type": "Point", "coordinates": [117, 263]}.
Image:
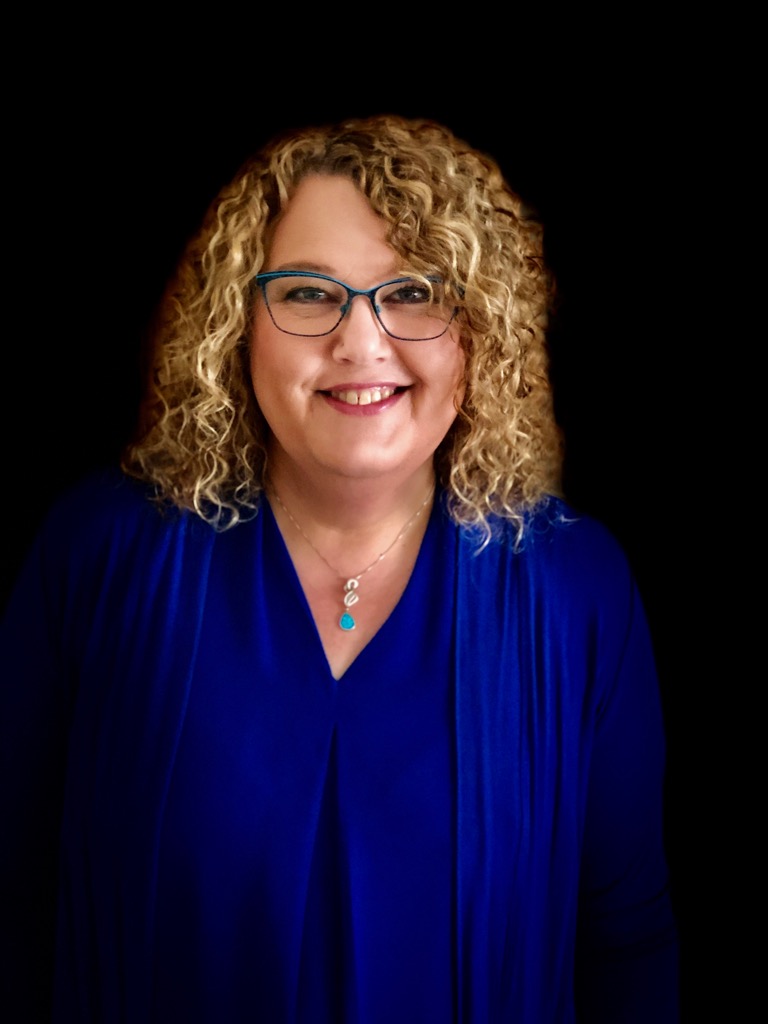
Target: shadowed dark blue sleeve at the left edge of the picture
{"type": "Point", "coordinates": [34, 721]}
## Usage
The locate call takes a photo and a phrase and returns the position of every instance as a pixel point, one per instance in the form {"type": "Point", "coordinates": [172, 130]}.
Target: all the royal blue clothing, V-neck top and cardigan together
{"type": "Point", "coordinates": [466, 827]}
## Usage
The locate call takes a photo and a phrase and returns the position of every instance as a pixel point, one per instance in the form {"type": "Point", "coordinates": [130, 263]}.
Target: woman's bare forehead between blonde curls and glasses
{"type": "Point", "coordinates": [329, 225]}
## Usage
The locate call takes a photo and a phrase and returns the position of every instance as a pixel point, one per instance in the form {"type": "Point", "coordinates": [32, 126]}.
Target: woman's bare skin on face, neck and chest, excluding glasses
{"type": "Point", "coordinates": [353, 470]}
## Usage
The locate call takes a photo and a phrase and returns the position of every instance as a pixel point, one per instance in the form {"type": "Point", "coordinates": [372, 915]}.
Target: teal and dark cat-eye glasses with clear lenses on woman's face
{"type": "Point", "coordinates": [312, 306]}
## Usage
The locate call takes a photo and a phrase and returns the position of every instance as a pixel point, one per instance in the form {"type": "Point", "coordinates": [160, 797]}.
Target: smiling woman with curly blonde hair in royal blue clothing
{"type": "Point", "coordinates": [357, 719]}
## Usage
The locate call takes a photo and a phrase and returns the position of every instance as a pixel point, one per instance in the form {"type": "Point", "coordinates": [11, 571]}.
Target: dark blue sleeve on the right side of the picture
{"type": "Point", "coordinates": [627, 952]}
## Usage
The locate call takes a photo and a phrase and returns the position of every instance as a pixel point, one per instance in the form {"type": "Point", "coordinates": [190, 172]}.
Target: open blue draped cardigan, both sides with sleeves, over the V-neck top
{"type": "Point", "coordinates": [562, 907]}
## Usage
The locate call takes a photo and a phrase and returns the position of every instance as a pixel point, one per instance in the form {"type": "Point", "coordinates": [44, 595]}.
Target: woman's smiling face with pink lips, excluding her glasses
{"type": "Point", "coordinates": [356, 403]}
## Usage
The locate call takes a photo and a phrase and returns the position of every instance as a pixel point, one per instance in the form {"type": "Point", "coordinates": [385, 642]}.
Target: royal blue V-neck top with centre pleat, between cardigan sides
{"type": "Point", "coordinates": [329, 803]}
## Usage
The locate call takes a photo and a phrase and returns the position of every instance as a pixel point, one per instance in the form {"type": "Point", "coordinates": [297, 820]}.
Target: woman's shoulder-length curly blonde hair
{"type": "Point", "coordinates": [202, 440]}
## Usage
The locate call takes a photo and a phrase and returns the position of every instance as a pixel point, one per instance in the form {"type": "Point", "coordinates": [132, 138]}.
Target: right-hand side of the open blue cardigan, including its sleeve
{"type": "Point", "coordinates": [561, 763]}
